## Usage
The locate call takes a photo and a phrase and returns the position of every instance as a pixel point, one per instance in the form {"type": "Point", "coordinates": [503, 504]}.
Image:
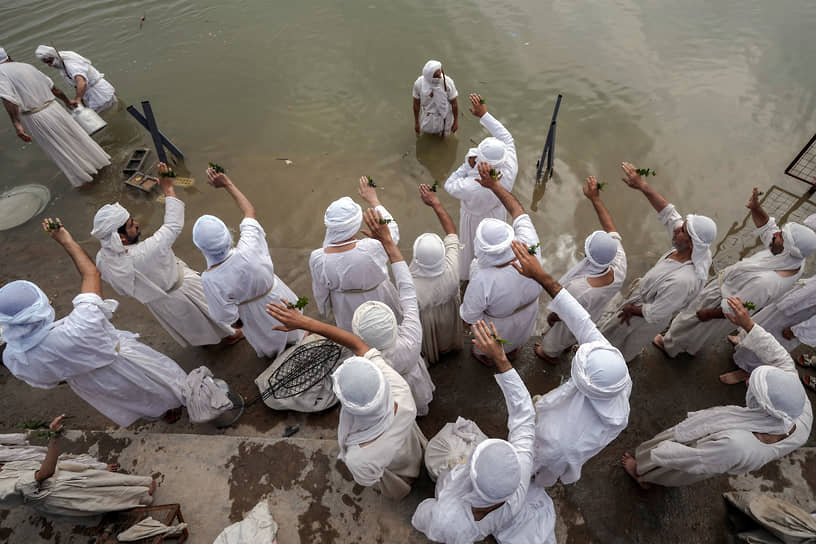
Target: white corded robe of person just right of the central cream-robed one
{"type": "Point", "coordinates": [503, 296]}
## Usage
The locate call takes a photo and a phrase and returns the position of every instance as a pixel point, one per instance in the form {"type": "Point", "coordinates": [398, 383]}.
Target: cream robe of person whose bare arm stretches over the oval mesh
{"type": "Point", "coordinates": [392, 461]}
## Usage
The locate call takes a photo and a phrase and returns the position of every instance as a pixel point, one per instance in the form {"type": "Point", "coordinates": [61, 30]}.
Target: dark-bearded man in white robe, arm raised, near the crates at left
{"type": "Point", "coordinates": [149, 271]}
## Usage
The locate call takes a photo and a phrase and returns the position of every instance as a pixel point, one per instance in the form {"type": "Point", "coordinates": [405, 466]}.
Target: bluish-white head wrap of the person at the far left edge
{"type": "Point", "coordinates": [26, 316]}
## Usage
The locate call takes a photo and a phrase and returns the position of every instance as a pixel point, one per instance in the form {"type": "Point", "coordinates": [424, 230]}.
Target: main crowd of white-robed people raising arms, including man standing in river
{"type": "Point", "coordinates": [394, 329]}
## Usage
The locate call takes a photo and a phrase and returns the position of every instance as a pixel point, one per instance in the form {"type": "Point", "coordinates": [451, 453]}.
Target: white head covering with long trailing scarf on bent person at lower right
{"type": "Point", "coordinates": [775, 399]}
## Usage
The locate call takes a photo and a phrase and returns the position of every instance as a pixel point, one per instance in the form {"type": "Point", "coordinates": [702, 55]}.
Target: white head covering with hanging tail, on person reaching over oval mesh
{"type": "Point", "coordinates": [367, 405]}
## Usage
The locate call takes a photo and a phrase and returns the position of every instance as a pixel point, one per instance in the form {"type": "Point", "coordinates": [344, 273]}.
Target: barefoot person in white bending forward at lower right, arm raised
{"type": "Point", "coordinates": [775, 421]}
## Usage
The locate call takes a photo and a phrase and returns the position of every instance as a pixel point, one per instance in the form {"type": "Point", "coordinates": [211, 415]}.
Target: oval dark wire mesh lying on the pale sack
{"type": "Point", "coordinates": [305, 367]}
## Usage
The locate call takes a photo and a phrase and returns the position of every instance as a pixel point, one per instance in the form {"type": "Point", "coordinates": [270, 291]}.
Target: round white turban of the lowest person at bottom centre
{"type": "Point", "coordinates": [495, 473]}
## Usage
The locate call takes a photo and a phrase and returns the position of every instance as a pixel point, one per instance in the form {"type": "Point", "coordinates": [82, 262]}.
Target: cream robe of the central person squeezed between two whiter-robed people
{"type": "Point", "coordinates": [439, 302]}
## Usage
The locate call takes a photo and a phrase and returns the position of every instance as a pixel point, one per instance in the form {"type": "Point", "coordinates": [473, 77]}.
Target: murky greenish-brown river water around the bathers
{"type": "Point", "coordinates": [715, 96]}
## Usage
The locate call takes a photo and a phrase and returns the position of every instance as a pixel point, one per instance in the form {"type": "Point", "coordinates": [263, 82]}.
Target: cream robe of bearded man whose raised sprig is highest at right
{"type": "Point", "coordinates": [668, 287]}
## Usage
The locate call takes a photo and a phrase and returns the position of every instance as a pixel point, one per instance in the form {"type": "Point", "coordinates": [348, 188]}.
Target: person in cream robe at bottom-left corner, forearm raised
{"type": "Point", "coordinates": [62, 487]}
